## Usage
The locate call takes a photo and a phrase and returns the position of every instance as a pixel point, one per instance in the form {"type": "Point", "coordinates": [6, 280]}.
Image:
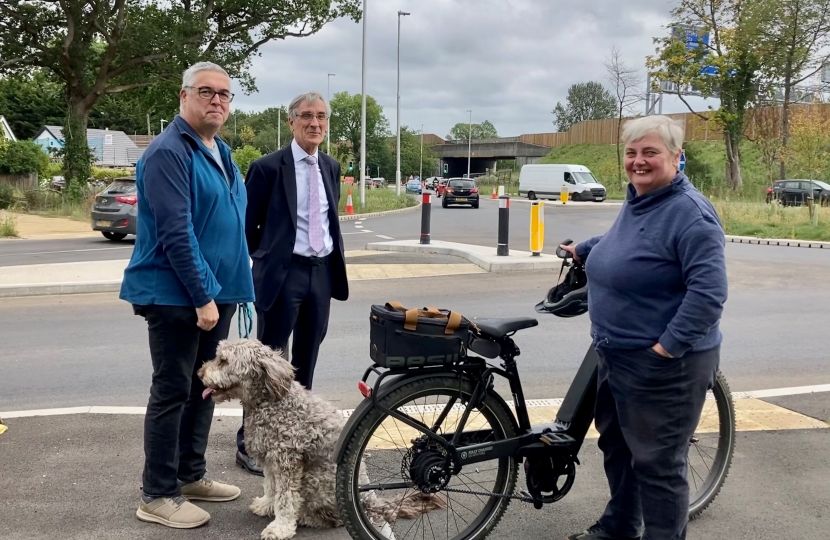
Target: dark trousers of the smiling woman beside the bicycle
{"type": "Point", "coordinates": [647, 409]}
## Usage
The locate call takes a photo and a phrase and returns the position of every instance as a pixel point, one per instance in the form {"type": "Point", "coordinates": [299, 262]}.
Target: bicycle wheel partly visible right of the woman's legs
{"type": "Point", "coordinates": [711, 447]}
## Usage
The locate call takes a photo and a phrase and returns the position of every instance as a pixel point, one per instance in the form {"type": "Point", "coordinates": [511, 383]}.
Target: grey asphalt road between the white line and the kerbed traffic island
{"type": "Point", "coordinates": [90, 349]}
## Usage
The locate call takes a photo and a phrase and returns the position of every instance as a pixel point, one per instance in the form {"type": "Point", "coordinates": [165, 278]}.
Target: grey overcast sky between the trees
{"type": "Point", "coordinates": [509, 61]}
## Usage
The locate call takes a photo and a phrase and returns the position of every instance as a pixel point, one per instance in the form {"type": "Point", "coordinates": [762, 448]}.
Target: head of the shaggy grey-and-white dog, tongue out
{"type": "Point", "coordinates": [248, 370]}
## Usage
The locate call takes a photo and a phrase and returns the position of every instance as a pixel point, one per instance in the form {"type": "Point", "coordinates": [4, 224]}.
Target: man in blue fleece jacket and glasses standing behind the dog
{"type": "Point", "coordinates": [189, 269]}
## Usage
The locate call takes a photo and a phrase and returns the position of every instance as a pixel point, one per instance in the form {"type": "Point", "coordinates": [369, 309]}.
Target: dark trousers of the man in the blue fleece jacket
{"type": "Point", "coordinates": [178, 420]}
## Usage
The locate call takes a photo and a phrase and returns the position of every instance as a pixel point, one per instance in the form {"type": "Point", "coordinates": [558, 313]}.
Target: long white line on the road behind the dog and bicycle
{"type": "Point", "coordinates": [237, 411]}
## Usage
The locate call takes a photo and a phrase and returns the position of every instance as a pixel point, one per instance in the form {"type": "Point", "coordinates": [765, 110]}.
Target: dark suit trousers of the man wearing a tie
{"type": "Point", "coordinates": [302, 307]}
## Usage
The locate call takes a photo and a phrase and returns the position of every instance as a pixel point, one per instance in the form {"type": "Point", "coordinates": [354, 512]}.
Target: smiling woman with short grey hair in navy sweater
{"type": "Point", "coordinates": [656, 289]}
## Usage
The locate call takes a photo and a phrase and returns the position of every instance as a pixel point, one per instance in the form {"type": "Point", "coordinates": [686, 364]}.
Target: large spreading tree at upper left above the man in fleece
{"type": "Point", "coordinates": [100, 47]}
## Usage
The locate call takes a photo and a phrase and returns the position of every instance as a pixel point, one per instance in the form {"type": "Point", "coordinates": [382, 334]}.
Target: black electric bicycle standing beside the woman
{"type": "Point", "coordinates": [444, 430]}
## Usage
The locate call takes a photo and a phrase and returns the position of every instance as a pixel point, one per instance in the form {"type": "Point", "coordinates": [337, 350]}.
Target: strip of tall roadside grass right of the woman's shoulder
{"type": "Point", "coordinates": [773, 221]}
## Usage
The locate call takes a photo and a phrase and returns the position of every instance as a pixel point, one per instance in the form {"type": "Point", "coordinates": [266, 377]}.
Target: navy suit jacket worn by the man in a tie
{"type": "Point", "coordinates": [271, 223]}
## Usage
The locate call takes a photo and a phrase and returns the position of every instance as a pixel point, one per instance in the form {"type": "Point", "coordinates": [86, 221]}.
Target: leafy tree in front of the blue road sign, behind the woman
{"type": "Point", "coordinates": [728, 67]}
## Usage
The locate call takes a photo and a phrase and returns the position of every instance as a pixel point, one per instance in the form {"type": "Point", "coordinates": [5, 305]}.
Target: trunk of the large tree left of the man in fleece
{"type": "Point", "coordinates": [77, 157]}
